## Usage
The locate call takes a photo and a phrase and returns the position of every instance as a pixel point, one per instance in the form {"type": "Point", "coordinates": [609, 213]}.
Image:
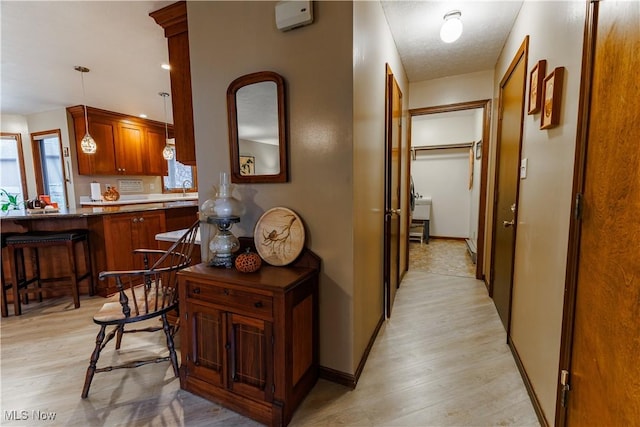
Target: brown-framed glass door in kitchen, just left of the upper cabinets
{"type": "Point", "coordinates": [49, 167]}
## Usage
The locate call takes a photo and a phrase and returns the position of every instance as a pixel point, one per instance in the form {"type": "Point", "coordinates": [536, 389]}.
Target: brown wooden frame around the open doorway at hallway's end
{"type": "Point", "coordinates": [485, 104]}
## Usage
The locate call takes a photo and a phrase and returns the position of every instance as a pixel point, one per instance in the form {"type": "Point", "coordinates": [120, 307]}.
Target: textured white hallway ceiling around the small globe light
{"type": "Point", "coordinates": [415, 26]}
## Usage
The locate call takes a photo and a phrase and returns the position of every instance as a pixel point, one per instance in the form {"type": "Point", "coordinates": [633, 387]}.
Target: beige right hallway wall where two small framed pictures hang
{"type": "Point", "coordinates": [544, 205]}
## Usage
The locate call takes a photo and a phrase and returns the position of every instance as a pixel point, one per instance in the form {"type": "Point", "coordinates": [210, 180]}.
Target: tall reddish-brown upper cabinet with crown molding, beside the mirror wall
{"type": "Point", "coordinates": [173, 19]}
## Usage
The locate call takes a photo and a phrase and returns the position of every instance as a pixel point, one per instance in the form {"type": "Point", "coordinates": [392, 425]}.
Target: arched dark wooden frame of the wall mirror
{"type": "Point", "coordinates": [232, 114]}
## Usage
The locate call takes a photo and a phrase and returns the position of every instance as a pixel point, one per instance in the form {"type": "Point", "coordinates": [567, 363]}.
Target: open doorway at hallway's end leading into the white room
{"type": "Point", "coordinates": [452, 139]}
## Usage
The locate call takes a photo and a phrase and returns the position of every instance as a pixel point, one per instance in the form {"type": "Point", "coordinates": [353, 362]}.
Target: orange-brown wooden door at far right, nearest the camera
{"type": "Point", "coordinates": [604, 347]}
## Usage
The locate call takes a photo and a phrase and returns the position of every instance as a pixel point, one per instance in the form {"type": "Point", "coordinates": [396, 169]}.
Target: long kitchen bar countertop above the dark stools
{"type": "Point", "coordinates": [95, 211]}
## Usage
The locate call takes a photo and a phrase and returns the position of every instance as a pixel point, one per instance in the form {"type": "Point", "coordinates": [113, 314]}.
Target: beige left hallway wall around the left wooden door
{"type": "Point", "coordinates": [373, 48]}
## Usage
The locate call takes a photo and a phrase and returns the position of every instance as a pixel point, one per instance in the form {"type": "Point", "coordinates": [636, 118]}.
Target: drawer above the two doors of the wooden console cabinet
{"type": "Point", "coordinates": [232, 298]}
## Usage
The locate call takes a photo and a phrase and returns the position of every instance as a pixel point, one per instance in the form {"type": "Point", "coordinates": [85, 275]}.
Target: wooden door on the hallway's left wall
{"type": "Point", "coordinates": [392, 192]}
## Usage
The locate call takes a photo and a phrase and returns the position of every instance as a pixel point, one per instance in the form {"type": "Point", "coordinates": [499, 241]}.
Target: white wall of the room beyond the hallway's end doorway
{"type": "Point", "coordinates": [443, 175]}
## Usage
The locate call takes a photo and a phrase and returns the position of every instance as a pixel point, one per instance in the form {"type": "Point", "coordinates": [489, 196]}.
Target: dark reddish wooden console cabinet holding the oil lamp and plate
{"type": "Point", "coordinates": [250, 341]}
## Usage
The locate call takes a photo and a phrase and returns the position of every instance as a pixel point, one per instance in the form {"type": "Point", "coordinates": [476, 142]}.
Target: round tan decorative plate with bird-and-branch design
{"type": "Point", "coordinates": [279, 236]}
